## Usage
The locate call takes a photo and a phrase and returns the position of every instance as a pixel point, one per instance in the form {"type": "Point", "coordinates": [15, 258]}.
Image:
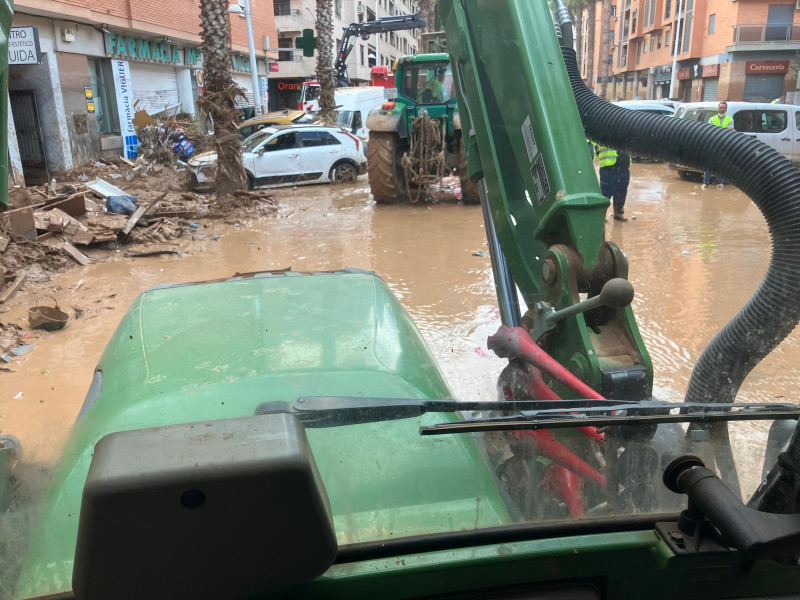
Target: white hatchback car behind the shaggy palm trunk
{"type": "Point", "coordinates": [289, 155]}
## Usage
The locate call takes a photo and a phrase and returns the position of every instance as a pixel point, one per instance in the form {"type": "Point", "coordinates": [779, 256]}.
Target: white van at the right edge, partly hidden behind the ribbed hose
{"type": "Point", "coordinates": [777, 125]}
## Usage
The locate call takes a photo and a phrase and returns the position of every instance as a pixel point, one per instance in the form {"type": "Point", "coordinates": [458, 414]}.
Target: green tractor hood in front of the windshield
{"type": "Point", "coordinates": [213, 351]}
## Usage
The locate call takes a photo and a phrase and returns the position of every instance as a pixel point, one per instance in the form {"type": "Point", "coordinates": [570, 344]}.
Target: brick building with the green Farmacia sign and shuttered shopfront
{"type": "Point", "coordinates": [80, 69]}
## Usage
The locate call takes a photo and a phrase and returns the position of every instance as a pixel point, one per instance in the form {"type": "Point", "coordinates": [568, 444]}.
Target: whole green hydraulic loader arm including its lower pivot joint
{"type": "Point", "coordinates": [543, 210]}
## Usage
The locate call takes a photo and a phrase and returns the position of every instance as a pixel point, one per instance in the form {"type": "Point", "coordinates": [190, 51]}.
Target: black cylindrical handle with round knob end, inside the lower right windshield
{"type": "Point", "coordinates": [714, 511]}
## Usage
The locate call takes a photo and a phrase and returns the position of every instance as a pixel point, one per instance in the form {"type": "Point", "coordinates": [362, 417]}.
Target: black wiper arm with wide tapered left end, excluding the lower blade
{"type": "Point", "coordinates": [333, 411]}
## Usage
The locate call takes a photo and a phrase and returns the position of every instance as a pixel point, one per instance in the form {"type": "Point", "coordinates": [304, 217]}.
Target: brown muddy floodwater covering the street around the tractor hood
{"type": "Point", "coordinates": [696, 256]}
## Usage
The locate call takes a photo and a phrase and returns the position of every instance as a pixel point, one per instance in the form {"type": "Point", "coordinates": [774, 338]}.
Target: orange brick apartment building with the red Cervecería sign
{"type": "Point", "coordinates": [726, 49]}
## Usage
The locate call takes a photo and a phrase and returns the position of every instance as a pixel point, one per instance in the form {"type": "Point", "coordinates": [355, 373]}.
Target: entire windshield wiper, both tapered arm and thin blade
{"type": "Point", "coordinates": [334, 411]}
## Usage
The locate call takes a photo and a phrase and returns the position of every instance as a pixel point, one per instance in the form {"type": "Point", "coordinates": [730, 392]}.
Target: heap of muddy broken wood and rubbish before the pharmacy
{"type": "Point", "coordinates": [53, 227]}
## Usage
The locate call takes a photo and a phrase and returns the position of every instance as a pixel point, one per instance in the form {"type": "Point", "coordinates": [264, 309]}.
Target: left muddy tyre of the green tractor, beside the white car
{"type": "Point", "coordinates": [386, 177]}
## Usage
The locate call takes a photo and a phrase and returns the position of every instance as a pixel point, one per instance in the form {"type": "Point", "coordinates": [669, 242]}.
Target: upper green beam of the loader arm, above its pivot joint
{"type": "Point", "coordinates": [516, 103]}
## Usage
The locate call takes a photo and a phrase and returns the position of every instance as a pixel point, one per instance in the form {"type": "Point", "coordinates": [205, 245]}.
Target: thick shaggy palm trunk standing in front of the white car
{"type": "Point", "coordinates": [218, 103]}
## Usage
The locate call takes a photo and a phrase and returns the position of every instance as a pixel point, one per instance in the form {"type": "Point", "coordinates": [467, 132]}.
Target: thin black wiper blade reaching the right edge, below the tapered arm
{"type": "Point", "coordinates": [643, 413]}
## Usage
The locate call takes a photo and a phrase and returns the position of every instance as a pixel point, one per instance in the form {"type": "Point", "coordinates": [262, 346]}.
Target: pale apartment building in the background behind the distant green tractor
{"type": "Point", "coordinates": [292, 68]}
